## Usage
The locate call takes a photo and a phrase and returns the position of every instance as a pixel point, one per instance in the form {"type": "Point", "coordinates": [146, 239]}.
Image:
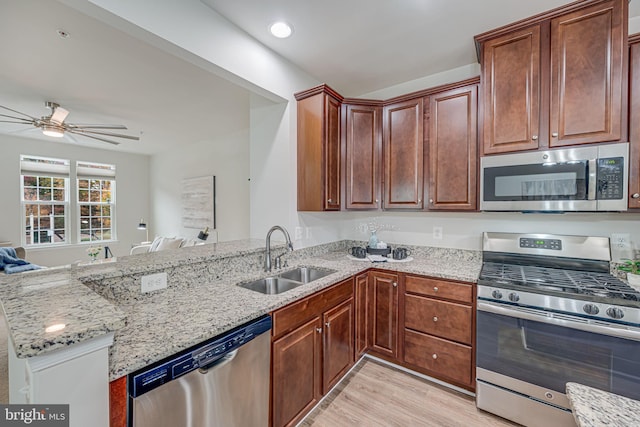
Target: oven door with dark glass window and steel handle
{"type": "Point", "coordinates": [534, 347]}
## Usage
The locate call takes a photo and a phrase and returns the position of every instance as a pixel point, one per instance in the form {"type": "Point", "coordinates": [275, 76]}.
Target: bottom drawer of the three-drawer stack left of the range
{"type": "Point", "coordinates": [446, 358]}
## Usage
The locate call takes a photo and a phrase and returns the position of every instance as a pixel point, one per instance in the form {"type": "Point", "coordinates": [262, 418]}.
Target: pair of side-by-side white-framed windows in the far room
{"type": "Point", "coordinates": [49, 214]}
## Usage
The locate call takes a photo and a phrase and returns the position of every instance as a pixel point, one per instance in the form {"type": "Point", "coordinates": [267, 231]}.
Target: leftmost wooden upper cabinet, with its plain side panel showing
{"type": "Point", "coordinates": [319, 149]}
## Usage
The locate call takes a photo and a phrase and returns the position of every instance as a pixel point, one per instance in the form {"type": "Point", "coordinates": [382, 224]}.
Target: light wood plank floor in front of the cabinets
{"type": "Point", "coordinates": [374, 394]}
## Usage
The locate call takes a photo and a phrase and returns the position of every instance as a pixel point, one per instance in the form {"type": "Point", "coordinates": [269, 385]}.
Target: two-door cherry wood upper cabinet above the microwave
{"type": "Point", "coordinates": [557, 79]}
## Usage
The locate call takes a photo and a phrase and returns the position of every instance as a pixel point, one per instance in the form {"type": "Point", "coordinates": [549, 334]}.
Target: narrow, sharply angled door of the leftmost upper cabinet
{"type": "Point", "coordinates": [332, 154]}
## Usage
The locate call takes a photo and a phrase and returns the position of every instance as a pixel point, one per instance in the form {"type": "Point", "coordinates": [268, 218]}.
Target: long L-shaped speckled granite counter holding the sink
{"type": "Point", "coordinates": [201, 301]}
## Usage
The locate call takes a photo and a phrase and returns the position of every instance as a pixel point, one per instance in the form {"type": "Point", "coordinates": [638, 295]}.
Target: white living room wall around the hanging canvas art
{"type": "Point", "coordinates": [226, 158]}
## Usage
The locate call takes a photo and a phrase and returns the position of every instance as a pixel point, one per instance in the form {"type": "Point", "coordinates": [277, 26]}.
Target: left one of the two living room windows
{"type": "Point", "coordinates": [45, 200]}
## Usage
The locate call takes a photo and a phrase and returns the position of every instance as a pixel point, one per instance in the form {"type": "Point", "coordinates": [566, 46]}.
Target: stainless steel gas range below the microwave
{"type": "Point", "coordinates": [549, 312]}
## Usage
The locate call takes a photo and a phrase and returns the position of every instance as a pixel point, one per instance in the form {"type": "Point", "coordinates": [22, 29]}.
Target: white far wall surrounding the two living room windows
{"type": "Point", "coordinates": [132, 201]}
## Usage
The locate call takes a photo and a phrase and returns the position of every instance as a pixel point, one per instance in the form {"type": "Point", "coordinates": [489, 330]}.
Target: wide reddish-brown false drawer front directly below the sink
{"type": "Point", "coordinates": [295, 314]}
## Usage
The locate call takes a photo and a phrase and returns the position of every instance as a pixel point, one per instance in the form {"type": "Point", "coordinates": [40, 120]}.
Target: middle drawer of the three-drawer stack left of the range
{"type": "Point", "coordinates": [444, 319]}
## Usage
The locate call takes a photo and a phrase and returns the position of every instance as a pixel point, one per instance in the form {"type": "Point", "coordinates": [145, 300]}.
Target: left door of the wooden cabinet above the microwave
{"type": "Point", "coordinates": [511, 77]}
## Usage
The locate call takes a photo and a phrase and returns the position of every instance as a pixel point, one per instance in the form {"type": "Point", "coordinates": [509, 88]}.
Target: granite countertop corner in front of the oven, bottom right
{"type": "Point", "coordinates": [594, 408]}
